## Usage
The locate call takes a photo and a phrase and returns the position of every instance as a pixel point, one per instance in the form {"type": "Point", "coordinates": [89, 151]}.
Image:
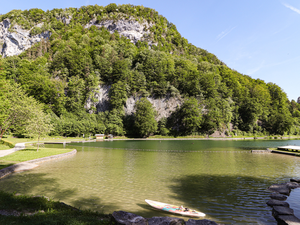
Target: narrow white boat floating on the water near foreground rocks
{"type": "Point", "coordinates": [174, 209]}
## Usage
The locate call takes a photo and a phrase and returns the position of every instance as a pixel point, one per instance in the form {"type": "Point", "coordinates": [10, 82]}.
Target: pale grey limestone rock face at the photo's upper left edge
{"type": "Point", "coordinates": [16, 40]}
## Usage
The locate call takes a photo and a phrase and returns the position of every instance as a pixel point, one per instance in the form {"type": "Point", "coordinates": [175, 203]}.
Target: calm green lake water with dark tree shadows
{"type": "Point", "coordinates": [223, 179]}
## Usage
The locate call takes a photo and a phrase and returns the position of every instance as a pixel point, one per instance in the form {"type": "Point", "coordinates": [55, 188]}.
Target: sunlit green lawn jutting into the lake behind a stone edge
{"type": "Point", "coordinates": [32, 153]}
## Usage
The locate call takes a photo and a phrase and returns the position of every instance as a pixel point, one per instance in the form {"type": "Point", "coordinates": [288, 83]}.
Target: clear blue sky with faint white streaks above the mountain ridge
{"type": "Point", "coordinates": [256, 38]}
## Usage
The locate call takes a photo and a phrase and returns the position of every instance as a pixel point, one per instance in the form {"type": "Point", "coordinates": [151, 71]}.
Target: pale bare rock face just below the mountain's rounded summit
{"type": "Point", "coordinates": [131, 29]}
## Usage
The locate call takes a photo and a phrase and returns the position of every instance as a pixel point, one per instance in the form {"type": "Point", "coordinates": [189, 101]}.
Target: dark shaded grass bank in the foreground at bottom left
{"type": "Point", "coordinates": [47, 212]}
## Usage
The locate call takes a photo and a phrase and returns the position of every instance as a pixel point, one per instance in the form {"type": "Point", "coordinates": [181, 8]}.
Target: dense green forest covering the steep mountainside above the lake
{"type": "Point", "coordinates": [62, 73]}
